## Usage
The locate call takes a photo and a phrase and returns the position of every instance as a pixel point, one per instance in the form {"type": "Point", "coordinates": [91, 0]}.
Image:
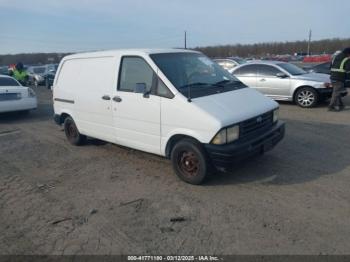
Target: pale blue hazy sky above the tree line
{"type": "Point", "coordinates": [86, 25]}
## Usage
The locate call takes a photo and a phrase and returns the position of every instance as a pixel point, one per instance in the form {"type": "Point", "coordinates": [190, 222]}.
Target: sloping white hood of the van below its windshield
{"type": "Point", "coordinates": [235, 106]}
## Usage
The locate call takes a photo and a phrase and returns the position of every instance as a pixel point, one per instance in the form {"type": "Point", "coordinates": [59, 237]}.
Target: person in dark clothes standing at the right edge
{"type": "Point", "coordinates": [340, 69]}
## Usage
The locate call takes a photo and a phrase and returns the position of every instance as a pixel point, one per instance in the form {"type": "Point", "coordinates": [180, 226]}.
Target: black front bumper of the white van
{"type": "Point", "coordinates": [224, 156]}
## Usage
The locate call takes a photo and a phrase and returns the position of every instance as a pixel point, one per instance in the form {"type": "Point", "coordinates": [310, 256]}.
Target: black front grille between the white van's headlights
{"type": "Point", "coordinates": [256, 124]}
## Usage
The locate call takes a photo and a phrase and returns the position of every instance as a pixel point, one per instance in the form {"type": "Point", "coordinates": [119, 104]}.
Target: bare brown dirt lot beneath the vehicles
{"type": "Point", "coordinates": [104, 199]}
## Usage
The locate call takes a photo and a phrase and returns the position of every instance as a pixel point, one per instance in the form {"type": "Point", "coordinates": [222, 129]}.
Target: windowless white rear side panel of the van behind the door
{"type": "Point", "coordinates": [84, 82]}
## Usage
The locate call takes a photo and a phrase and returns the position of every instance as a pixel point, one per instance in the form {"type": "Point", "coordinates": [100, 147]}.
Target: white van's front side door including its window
{"type": "Point", "coordinates": [136, 111]}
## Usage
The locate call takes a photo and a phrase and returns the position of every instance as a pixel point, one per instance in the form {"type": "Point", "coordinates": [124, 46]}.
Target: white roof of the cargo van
{"type": "Point", "coordinates": [128, 52]}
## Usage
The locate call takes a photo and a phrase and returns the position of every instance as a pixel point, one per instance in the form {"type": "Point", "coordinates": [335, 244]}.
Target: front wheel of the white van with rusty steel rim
{"type": "Point", "coordinates": [190, 161]}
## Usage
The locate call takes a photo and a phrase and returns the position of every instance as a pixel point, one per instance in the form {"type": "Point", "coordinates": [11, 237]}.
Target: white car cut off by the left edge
{"type": "Point", "coordinates": [14, 96]}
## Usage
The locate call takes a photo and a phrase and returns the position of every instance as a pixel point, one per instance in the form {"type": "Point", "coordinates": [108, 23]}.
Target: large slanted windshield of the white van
{"type": "Point", "coordinates": [196, 73]}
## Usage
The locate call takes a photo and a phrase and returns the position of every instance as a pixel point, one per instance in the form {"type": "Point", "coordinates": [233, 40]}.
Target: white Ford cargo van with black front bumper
{"type": "Point", "coordinates": [175, 103]}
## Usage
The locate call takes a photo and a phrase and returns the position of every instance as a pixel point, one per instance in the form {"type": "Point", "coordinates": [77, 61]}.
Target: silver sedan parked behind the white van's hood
{"type": "Point", "coordinates": [285, 81]}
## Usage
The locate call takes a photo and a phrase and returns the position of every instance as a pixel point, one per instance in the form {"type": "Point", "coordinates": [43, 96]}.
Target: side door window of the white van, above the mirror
{"type": "Point", "coordinates": [135, 70]}
